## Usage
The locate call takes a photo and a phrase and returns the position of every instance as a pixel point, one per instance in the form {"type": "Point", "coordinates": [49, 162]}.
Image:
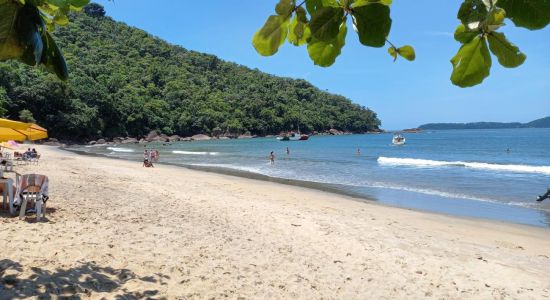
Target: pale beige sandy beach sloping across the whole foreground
{"type": "Point", "coordinates": [115, 229]}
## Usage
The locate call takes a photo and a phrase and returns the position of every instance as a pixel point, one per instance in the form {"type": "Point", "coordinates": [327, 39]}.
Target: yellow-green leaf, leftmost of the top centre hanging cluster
{"type": "Point", "coordinates": [271, 36]}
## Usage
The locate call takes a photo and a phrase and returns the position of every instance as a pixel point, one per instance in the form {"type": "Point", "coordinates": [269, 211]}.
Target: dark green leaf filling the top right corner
{"type": "Point", "coordinates": [530, 14]}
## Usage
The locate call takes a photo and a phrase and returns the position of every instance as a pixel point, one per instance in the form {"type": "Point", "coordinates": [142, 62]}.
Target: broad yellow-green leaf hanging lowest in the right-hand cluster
{"type": "Point", "coordinates": [472, 63]}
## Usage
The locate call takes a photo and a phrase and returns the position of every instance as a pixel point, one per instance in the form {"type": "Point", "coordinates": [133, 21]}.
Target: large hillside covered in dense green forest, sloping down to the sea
{"type": "Point", "coordinates": [125, 82]}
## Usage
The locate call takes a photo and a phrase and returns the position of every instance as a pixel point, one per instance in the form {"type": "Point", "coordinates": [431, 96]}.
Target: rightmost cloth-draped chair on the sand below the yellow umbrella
{"type": "Point", "coordinates": [32, 188]}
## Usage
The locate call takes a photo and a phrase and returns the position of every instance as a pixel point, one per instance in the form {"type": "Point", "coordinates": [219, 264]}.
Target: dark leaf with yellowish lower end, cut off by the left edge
{"type": "Point", "coordinates": [10, 47]}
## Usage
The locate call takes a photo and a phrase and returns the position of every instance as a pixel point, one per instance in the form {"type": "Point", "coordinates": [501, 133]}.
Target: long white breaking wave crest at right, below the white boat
{"type": "Point", "coordinates": [426, 163]}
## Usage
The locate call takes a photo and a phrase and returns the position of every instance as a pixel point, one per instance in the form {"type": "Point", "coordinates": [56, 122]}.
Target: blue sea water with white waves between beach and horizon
{"type": "Point", "coordinates": [458, 172]}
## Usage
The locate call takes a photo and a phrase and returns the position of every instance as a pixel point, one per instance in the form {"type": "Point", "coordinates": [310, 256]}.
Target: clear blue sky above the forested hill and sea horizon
{"type": "Point", "coordinates": [404, 94]}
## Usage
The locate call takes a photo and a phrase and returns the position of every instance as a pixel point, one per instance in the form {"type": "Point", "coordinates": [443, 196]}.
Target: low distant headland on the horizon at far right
{"type": "Point", "coordinates": [539, 123]}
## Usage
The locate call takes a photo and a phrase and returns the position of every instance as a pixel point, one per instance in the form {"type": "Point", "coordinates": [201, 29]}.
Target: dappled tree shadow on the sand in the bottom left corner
{"type": "Point", "coordinates": [74, 283]}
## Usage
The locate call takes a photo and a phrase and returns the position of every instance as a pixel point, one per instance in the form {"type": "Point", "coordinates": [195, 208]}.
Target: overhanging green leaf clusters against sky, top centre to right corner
{"type": "Point", "coordinates": [322, 26]}
